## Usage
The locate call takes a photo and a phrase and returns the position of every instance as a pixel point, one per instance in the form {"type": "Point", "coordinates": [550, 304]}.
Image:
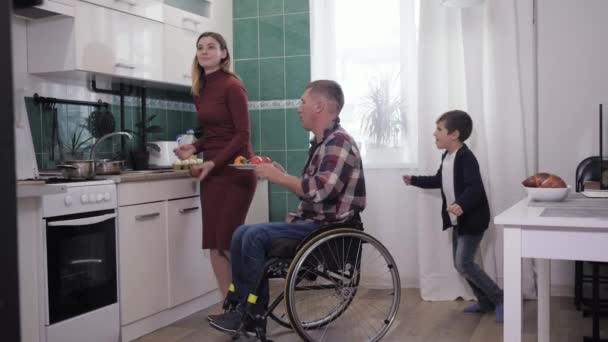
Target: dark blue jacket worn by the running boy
{"type": "Point", "coordinates": [468, 190]}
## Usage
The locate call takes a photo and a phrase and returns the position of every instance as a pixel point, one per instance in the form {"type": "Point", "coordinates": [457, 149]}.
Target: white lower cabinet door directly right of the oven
{"type": "Point", "coordinates": [143, 269]}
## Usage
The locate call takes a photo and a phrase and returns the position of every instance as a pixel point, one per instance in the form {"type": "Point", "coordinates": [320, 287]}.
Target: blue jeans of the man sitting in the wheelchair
{"type": "Point", "coordinates": [248, 253]}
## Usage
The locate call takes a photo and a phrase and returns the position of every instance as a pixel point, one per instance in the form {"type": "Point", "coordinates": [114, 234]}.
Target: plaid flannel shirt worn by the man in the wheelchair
{"type": "Point", "coordinates": [332, 179]}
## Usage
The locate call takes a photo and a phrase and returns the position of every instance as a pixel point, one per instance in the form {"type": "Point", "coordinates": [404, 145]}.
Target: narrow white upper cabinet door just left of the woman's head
{"type": "Point", "coordinates": [179, 52]}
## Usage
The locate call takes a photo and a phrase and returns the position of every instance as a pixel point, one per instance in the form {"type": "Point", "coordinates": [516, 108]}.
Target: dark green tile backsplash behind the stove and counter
{"type": "Point", "coordinates": [174, 112]}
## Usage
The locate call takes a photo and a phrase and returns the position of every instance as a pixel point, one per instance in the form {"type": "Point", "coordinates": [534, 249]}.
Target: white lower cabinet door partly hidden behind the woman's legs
{"type": "Point", "coordinates": [190, 273]}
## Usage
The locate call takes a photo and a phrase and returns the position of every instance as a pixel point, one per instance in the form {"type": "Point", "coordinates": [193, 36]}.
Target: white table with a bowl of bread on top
{"type": "Point", "coordinates": [527, 234]}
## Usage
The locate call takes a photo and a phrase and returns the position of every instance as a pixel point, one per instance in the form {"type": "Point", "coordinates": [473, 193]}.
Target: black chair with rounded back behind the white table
{"type": "Point", "coordinates": [589, 170]}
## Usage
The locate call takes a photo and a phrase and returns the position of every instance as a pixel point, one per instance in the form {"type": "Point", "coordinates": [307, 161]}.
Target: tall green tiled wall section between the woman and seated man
{"type": "Point", "coordinates": [272, 57]}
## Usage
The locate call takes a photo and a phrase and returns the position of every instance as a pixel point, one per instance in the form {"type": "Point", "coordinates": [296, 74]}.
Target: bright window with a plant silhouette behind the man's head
{"type": "Point", "coordinates": [369, 47]}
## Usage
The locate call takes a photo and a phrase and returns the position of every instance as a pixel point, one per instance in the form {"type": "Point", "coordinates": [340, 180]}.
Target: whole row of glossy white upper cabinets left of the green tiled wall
{"type": "Point", "coordinates": [138, 39]}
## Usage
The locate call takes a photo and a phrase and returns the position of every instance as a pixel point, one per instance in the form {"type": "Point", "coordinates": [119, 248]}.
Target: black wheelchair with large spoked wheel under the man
{"type": "Point", "coordinates": [338, 283]}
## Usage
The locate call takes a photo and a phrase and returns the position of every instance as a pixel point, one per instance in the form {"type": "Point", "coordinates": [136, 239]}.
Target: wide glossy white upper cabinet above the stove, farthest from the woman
{"type": "Point", "coordinates": [97, 39]}
